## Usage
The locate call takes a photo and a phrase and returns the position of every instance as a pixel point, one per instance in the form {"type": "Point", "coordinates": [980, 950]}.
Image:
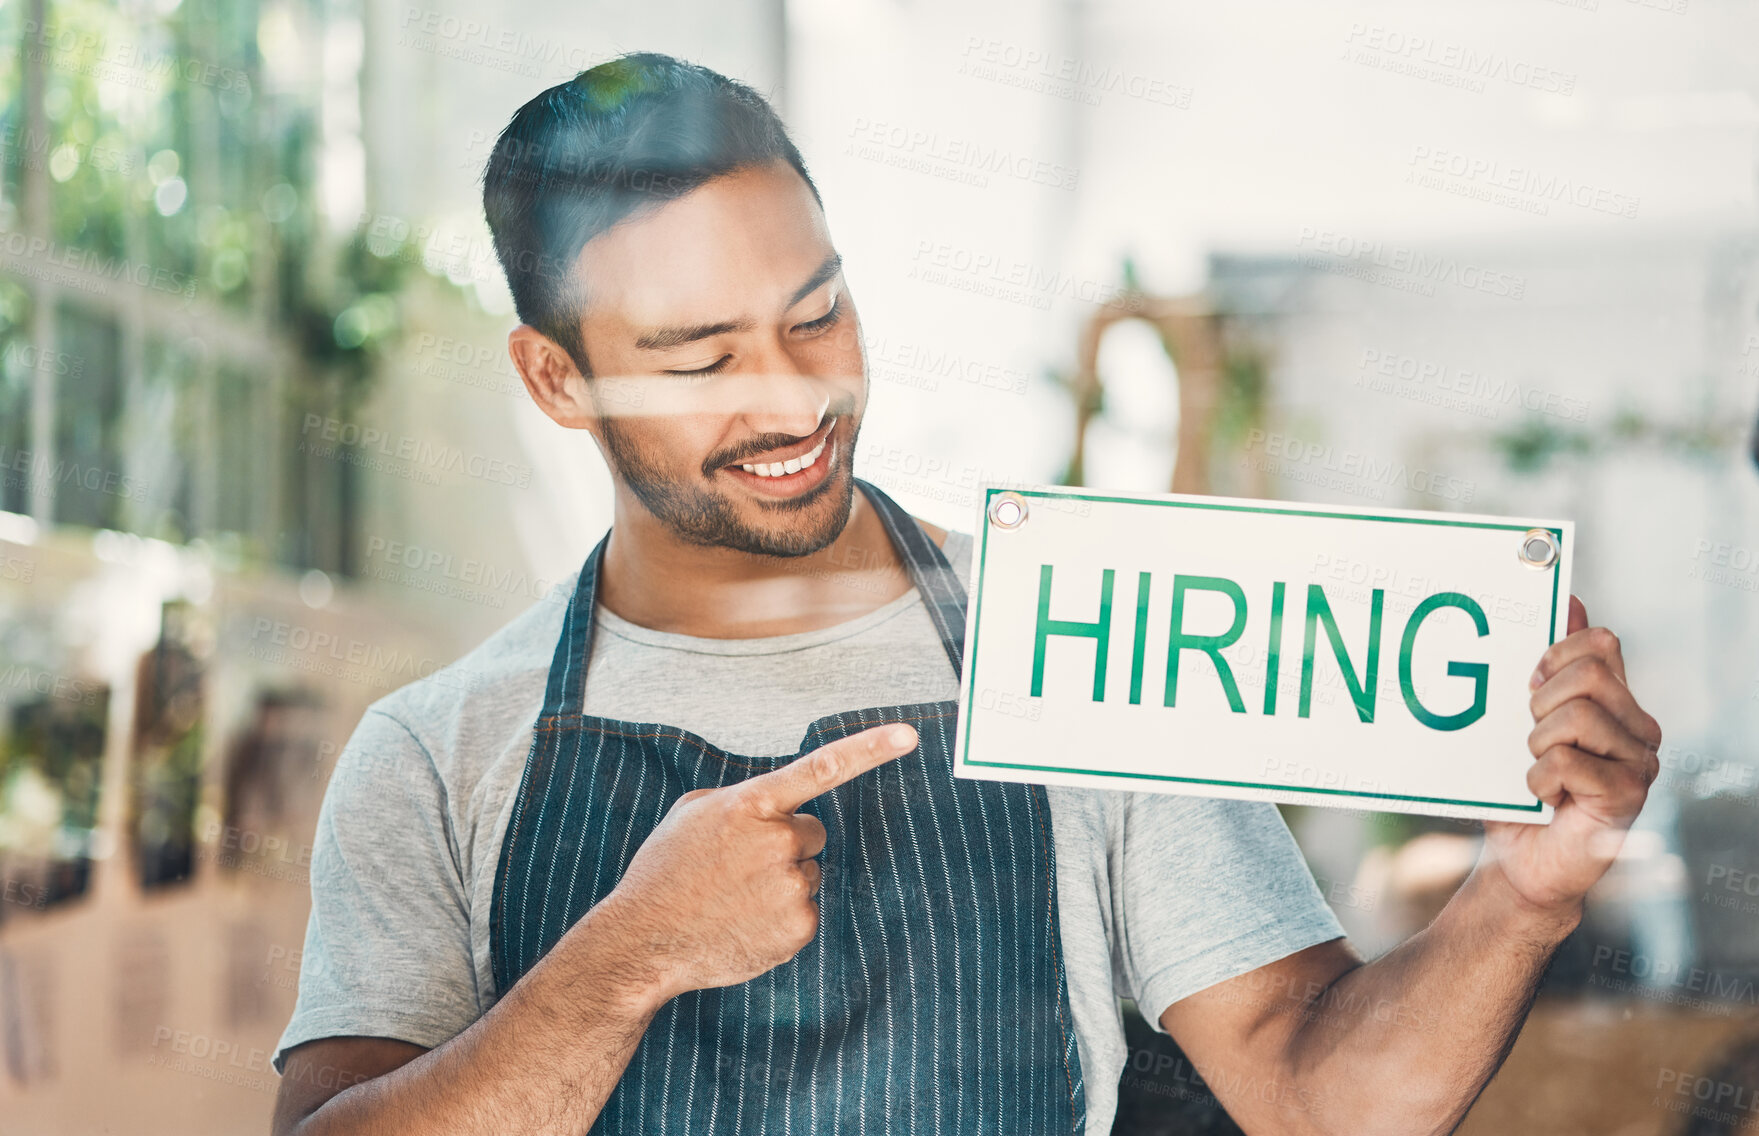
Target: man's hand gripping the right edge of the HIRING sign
{"type": "Point", "coordinates": [1596, 759]}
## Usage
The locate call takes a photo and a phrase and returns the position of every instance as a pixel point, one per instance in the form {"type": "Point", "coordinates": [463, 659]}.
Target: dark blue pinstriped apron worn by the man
{"type": "Point", "coordinates": [933, 998]}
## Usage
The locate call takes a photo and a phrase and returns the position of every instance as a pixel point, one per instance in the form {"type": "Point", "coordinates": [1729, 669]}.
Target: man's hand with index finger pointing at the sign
{"type": "Point", "coordinates": [727, 887]}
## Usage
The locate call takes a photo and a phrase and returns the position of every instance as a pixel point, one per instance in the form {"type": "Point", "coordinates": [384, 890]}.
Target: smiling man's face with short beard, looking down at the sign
{"type": "Point", "coordinates": [727, 314]}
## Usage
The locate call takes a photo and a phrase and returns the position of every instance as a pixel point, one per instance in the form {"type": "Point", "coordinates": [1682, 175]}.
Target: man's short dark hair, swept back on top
{"type": "Point", "coordinates": [632, 133]}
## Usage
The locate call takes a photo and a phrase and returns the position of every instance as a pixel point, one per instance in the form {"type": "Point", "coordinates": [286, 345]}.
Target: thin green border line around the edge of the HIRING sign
{"type": "Point", "coordinates": [977, 620]}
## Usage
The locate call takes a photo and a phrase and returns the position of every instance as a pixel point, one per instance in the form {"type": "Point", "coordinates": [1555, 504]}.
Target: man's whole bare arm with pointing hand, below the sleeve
{"type": "Point", "coordinates": [722, 891]}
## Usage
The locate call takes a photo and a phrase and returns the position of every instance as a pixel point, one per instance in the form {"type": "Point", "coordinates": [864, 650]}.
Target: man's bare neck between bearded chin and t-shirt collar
{"type": "Point", "coordinates": [657, 581]}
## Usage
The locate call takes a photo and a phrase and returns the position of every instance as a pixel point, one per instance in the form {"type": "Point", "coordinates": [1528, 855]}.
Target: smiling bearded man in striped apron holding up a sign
{"type": "Point", "coordinates": [682, 852]}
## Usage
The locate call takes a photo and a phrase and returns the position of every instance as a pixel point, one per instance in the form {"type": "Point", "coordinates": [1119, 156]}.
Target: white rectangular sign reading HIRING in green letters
{"type": "Point", "coordinates": [1371, 659]}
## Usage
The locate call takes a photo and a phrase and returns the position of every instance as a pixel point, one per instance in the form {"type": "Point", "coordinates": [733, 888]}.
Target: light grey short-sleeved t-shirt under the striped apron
{"type": "Point", "coordinates": [1158, 896]}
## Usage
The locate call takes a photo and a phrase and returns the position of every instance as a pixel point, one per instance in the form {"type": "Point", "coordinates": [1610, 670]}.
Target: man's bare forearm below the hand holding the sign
{"type": "Point", "coordinates": [1408, 1042]}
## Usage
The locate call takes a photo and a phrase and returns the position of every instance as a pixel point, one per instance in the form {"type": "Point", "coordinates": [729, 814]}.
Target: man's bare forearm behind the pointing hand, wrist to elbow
{"type": "Point", "coordinates": [544, 1060]}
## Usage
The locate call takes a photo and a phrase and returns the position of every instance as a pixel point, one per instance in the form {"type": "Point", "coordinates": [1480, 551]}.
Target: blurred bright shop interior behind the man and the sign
{"type": "Point", "coordinates": [263, 456]}
